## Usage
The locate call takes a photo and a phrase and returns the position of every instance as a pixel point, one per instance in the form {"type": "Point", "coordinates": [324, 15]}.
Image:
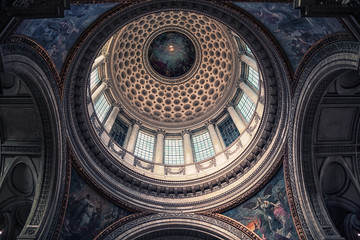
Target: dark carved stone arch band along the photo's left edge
{"type": "Point", "coordinates": [26, 62]}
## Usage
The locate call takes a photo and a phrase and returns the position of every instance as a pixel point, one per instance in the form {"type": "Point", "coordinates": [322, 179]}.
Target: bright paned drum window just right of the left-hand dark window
{"type": "Point", "coordinates": [144, 147]}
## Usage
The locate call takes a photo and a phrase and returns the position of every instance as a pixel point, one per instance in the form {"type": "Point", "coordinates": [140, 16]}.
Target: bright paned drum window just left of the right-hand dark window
{"type": "Point", "coordinates": [203, 147]}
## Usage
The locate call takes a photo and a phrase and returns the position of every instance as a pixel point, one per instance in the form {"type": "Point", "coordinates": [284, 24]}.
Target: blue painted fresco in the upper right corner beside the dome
{"type": "Point", "coordinates": [296, 35]}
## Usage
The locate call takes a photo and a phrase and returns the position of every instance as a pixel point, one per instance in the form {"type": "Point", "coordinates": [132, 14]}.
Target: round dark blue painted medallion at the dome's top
{"type": "Point", "coordinates": [172, 55]}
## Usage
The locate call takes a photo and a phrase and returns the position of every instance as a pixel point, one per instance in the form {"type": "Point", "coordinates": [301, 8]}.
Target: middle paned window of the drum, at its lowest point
{"type": "Point", "coordinates": [174, 152]}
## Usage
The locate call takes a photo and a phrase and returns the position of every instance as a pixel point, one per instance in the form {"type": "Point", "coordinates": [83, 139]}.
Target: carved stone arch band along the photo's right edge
{"type": "Point", "coordinates": [327, 63]}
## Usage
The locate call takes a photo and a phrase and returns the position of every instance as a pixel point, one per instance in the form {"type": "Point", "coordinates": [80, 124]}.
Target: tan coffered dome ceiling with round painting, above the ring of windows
{"type": "Point", "coordinates": [172, 67]}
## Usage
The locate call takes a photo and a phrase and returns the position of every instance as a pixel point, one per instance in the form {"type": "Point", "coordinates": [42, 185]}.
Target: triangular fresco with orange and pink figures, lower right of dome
{"type": "Point", "coordinates": [267, 213]}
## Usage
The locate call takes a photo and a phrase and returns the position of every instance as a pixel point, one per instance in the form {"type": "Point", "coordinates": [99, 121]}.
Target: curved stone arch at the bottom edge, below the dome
{"type": "Point", "coordinates": [211, 226]}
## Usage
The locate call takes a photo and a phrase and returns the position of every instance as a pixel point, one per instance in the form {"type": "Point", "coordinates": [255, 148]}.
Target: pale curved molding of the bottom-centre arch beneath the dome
{"type": "Point", "coordinates": [223, 226]}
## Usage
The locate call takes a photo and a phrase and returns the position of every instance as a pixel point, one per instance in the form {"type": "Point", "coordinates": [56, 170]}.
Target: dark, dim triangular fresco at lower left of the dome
{"type": "Point", "coordinates": [87, 213]}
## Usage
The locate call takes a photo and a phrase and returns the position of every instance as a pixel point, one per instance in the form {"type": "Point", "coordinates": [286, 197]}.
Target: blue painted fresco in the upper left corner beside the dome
{"type": "Point", "coordinates": [58, 35]}
